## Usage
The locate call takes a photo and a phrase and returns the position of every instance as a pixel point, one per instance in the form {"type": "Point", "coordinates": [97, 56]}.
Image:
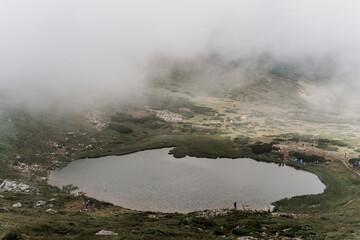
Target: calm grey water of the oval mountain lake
{"type": "Point", "coordinates": [154, 180]}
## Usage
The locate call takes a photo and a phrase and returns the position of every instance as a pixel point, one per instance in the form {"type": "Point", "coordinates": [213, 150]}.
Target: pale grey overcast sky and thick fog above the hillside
{"type": "Point", "coordinates": [62, 48]}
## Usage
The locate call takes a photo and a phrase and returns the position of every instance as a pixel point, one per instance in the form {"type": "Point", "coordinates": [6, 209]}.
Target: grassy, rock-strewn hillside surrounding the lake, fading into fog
{"type": "Point", "coordinates": [205, 109]}
